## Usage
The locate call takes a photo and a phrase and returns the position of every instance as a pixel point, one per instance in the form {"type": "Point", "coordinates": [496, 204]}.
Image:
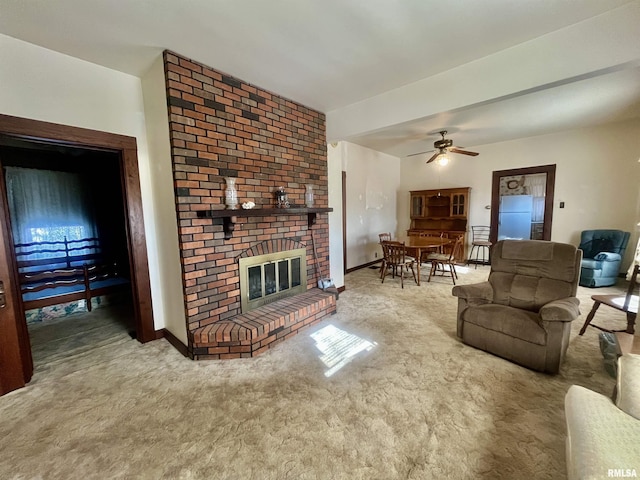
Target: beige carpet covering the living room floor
{"type": "Point", "coordinates": [411, 402]}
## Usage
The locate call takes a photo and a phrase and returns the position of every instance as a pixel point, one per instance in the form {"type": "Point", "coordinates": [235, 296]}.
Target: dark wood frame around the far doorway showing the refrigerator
{"type": "Point", "coordinates": [550, 170]}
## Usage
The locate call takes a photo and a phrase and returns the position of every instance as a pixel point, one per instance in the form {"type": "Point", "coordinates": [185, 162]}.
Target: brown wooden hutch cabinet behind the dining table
{"type": "Point", "coordinates": [443, 211]}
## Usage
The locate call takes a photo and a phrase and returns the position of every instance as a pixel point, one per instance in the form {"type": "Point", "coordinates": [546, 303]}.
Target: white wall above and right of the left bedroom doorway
{"type": "Point", "coordinates": [44, 85]}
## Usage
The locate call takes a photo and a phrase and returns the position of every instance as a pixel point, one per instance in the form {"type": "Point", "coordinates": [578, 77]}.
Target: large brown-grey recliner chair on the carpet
{"type": "Point", "coordinates": [524, 311]}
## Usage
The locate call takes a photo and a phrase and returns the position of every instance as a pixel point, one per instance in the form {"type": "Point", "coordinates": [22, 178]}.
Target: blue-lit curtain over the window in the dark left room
{"type": "Point", "coordinates": [48, 205]}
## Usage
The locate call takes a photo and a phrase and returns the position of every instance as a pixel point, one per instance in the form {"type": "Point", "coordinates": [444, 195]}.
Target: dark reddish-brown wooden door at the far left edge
{"type": "Point", "coordinates": [16, 365]}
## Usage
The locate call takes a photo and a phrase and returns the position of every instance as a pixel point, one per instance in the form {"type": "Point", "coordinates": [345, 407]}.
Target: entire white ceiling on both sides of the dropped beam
{"type": "Point", "coordinates": [329, 54]}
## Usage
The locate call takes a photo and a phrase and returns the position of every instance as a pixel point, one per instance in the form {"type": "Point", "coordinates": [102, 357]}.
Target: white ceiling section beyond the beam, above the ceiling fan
{"type": "Point", "coordinates": [602, 99]}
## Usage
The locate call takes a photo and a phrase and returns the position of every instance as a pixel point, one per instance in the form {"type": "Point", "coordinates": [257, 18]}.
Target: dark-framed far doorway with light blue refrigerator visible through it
{"type": "Point", "coordinates": [522, 203]}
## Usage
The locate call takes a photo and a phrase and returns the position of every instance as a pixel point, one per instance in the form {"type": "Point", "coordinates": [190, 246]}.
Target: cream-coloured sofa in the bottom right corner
{"type": "Point", "coordinates": [603, 436]}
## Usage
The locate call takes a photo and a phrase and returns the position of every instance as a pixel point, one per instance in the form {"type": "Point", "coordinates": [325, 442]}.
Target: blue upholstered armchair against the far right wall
{"type": "Point", "coordinates": [602, 252]}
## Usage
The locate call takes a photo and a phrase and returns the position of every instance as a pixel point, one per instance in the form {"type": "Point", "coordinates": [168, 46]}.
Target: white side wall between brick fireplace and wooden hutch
{"type": "Point", "coordinates": [373, 182]}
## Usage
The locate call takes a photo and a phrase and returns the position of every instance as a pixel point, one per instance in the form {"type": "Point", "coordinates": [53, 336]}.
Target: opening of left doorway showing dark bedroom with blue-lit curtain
{"type": "Point", "coordinates": [56, 208]}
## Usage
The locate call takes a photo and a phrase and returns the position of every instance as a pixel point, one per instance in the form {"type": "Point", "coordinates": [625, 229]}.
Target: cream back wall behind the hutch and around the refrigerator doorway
{"type": "Point", "coordinates": [597, 176]}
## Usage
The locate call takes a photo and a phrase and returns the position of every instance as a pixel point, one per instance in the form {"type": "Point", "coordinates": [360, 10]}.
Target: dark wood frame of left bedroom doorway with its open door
{"type": "Point", "coordinates": [15, 353]}
